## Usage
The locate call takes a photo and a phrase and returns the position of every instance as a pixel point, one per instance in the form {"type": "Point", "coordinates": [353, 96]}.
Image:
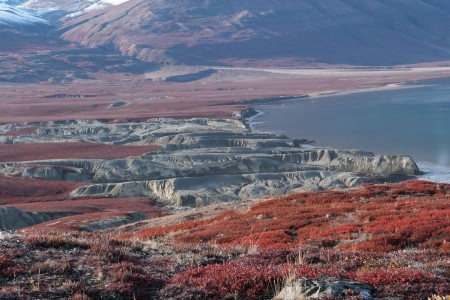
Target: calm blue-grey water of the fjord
{"type": "Point", "coordinates": [413, 121]}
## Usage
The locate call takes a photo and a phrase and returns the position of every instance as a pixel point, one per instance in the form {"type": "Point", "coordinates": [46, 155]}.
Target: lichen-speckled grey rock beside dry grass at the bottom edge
{"type": "Point", "coordinates": [324, 287]}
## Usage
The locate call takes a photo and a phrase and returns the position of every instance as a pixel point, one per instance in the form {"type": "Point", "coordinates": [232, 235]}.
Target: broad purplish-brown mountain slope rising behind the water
{"type": "Point", "coordinates": [364, 32]}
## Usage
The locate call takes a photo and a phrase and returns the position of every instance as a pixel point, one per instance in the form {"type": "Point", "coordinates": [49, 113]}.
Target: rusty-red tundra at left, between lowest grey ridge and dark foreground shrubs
{"type": "Point", "coordinates": [48, 196]}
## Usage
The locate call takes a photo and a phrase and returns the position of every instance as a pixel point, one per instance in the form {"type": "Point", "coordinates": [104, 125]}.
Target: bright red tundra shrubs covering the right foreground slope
{"type": "Point", "coordinates": [365, 234]}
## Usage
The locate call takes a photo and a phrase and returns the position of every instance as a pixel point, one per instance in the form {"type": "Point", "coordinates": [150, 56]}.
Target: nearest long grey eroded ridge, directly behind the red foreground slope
{"type": "Point", "coordinates": [203, 190]}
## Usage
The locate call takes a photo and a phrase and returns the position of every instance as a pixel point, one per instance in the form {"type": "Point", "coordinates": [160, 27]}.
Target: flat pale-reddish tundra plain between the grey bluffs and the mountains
{"type": "Point", "coordinates": [147, 99]}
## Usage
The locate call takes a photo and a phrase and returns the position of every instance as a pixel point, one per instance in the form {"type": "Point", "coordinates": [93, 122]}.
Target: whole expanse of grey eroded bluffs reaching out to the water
{"type": "Point", "coordinates": [201, 161]}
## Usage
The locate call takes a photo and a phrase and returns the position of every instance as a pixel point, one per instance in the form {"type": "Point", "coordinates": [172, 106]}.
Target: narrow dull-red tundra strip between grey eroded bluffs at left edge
{"type": "Point", "coordinates": [43, 151]}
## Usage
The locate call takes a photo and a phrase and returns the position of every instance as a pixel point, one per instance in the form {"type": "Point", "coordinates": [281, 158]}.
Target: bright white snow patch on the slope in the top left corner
{"type": "Point", "coordinates": [12, 16]}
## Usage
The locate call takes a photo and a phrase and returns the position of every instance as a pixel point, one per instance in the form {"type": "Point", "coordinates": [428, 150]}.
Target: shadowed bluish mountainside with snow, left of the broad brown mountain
{"type": "Point", "coordinates": [31, 50]}
